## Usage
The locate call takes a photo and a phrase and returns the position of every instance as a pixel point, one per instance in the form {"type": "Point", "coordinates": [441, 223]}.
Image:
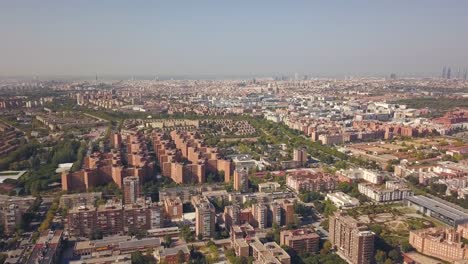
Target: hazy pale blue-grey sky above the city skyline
{"type": "Point", "coordinates": [222, 37]}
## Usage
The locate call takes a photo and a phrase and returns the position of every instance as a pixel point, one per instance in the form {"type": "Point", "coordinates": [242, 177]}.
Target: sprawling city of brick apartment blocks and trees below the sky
{"type": "Point", "coordinates": [266, 170]}
